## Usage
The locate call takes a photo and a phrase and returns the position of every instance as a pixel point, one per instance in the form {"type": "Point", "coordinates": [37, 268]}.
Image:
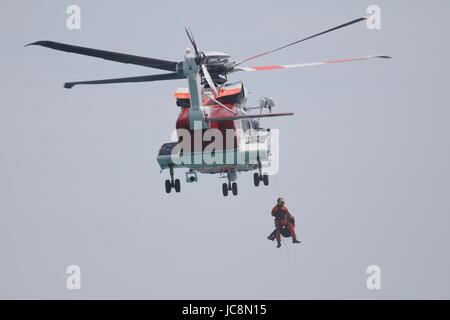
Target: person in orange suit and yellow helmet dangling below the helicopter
{"type": "Point", "coordinates": [284, 223]}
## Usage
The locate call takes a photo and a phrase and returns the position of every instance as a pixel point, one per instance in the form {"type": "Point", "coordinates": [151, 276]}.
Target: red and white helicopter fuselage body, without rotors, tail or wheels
{"type": "Point", "coordinates": [226, 146]}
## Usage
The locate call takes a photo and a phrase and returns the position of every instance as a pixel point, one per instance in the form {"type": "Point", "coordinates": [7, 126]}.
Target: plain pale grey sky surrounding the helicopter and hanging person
{"type": "Point", "coordinates": [364, 161]}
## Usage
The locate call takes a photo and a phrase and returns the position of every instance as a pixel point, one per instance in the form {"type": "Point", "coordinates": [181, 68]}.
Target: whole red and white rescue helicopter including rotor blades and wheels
{"type": "Point", "coordinates": [208, 104]}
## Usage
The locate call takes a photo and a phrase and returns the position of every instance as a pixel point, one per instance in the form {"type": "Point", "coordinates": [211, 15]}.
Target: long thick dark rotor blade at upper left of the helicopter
{"type": "Point", "coordinates": [109, 55]}
